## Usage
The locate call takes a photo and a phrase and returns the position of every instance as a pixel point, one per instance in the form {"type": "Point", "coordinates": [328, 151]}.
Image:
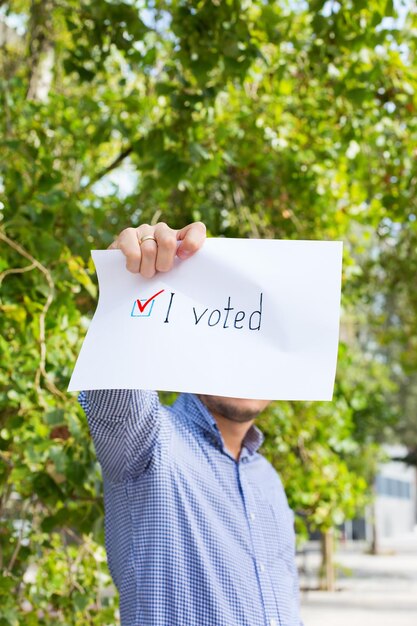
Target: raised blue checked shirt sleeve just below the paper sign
{"type": "Point", "coordinates": [125, 426]}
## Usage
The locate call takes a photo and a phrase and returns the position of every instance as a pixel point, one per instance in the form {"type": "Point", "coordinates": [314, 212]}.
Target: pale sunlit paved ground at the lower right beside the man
{"type": "Point", "coordinates": [372, 590]}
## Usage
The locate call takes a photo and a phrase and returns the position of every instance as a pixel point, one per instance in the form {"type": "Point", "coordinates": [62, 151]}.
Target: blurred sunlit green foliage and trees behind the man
{"type": "Point", "coordinates": [284, 119]}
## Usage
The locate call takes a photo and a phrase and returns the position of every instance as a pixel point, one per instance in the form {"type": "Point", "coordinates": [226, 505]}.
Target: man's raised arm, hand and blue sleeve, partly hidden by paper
{"type": "Point", "coordinates": [127, 425]}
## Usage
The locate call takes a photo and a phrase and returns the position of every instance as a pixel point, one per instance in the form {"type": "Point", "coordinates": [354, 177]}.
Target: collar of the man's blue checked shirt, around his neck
{"type": "Point", "coordinates": [192, 407]}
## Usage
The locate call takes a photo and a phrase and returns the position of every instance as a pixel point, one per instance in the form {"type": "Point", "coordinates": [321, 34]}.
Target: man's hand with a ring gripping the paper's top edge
{"type": "Point", "coordinates": [157, 253]}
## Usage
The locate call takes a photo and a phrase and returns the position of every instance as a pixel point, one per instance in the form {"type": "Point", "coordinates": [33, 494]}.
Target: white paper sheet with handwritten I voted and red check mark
{"type": "Point", "coordinates": [242, 318]}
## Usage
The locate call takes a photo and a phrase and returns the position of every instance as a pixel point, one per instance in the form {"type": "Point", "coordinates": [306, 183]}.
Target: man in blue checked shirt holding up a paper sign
{"type": "Point", "coordinates": [198, 529]}
